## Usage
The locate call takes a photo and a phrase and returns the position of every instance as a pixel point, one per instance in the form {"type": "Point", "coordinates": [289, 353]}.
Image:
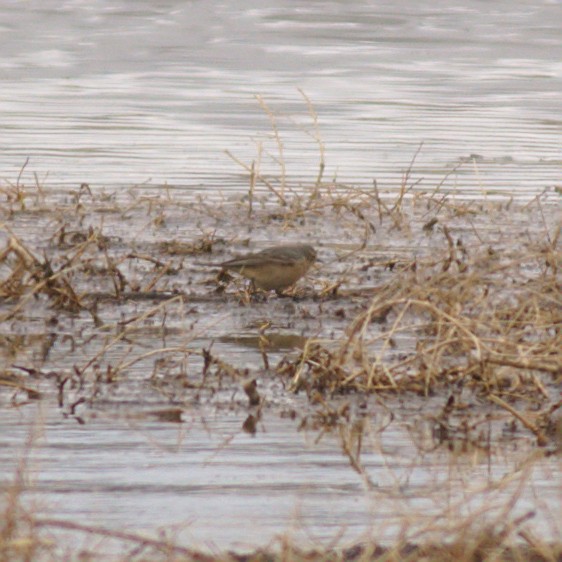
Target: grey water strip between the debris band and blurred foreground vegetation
{"type": "Point", "coordinates": [212, 475]}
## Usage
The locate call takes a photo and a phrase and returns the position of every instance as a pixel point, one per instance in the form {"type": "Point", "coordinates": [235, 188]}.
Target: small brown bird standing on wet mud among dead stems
{"type": "Point", "coordinates": [274, 268]}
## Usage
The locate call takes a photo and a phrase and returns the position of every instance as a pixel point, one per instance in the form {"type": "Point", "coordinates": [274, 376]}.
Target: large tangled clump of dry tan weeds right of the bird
{"type": "Point", "coordinates": [481, 320]}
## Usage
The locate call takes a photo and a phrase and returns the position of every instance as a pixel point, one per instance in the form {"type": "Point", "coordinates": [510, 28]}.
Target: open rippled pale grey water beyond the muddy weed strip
{"type": "Point", "coordinates": [125, 92]}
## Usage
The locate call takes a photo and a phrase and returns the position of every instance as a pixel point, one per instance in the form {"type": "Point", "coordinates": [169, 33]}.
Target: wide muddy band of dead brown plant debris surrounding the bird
{"type": "Point", "coordinates": [414, 293]}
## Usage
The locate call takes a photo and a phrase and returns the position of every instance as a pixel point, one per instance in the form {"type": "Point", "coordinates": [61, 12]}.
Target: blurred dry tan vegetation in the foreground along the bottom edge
{"type": "Point", "coordinates": [487, 534]}
